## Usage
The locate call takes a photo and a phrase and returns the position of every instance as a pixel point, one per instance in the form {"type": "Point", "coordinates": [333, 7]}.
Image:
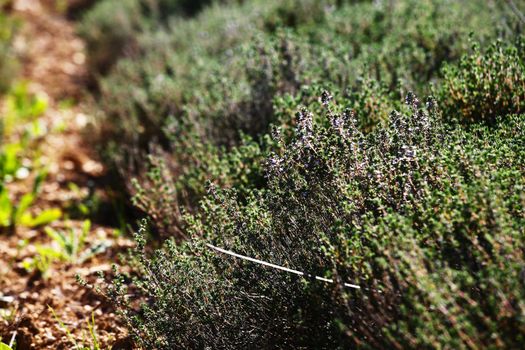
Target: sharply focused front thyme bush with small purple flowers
{"type": "Point", "coordinates": [428, 219]}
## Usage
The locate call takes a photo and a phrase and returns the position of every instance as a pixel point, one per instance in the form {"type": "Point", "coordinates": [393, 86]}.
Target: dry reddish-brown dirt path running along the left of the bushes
{"type": "Point", "coordinates": [53, 62]}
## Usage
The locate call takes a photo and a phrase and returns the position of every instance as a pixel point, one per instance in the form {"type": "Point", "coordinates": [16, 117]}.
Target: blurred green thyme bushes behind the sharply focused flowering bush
{"type": "Point", "coordinates": [192, 89]}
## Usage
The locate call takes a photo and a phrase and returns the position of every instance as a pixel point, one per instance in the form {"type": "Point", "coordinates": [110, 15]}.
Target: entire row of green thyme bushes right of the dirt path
{"type": "Point", "coordinates": [425, 214]}
